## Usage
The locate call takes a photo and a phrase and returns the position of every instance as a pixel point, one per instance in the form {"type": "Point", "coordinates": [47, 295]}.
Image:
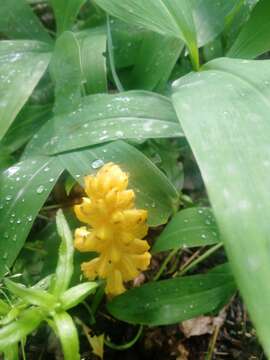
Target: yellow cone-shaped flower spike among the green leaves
{"type": "Point", "coordinates": [115, 229]}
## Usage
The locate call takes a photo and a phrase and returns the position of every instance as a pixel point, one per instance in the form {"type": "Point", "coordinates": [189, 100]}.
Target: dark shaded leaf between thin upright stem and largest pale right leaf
{"type": "Point", "coordinates": [154, 61]}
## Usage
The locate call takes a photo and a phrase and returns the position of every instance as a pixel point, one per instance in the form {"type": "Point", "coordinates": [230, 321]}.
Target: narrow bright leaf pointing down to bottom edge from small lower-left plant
{"type": "Point", "coordinates": [67, 333]}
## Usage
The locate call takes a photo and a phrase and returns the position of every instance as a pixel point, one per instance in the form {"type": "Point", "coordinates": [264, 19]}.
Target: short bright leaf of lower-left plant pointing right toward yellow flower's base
{"type": "Point", "coordinates": [75, 295]}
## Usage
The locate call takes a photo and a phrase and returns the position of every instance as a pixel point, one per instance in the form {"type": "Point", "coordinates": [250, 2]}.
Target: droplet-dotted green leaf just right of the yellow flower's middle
{"type": "Point", "coordinates": [188, 228]}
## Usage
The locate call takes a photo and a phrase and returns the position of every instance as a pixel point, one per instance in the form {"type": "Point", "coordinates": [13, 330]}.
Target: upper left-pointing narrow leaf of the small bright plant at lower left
{"type": "Point", "coordinates": [32, 296]}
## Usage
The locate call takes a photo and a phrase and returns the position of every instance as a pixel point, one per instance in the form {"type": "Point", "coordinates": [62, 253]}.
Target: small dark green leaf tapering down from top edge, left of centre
{"type": "Point", "coordinates": [65, 12]}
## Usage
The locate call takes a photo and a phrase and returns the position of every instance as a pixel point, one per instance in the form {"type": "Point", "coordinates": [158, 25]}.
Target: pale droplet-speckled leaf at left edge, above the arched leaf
{"type": "Point", "coordinates": [22, 64]}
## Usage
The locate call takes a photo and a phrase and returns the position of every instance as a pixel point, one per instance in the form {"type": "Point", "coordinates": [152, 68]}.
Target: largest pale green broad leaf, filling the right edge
{"type": "Point", "coordinates": [224, 111]}
